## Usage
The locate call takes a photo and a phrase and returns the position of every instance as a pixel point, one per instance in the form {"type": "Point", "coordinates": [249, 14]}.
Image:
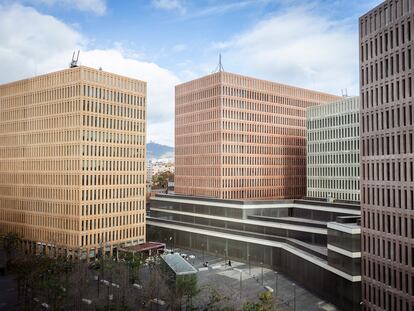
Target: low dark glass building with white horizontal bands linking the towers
{"type": "Point", "coordinates": [315, 243]}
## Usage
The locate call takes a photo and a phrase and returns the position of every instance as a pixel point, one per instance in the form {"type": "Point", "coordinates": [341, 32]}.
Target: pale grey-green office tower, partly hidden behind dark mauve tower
{"type": "Point", "coordinates": [333, 150]}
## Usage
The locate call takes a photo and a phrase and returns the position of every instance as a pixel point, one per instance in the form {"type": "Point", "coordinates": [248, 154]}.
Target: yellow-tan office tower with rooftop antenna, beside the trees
{"type": "Point", "coordinates": [72, 161]}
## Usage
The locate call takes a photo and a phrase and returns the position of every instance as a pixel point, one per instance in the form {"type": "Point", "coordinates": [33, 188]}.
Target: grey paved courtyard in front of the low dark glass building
{"type": "Point", "coordinates": [226, 280]}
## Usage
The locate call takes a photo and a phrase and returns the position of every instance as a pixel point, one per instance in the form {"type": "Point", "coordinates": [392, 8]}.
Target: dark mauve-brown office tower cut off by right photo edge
{"type": "Point", "coordinates": [387, 185]}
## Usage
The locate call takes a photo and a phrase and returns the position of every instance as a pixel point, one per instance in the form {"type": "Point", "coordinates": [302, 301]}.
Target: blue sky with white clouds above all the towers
{"type": "Point", "coordinates": [305, 43]}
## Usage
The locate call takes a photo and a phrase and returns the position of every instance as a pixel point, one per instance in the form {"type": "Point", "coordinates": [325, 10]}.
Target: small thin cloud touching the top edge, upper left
{"type": "Point", "coordinates": [97, 7]}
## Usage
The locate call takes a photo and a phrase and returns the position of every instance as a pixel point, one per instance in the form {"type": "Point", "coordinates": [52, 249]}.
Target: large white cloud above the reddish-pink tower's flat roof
{"type": "Point", "coordinates": [297, 47]}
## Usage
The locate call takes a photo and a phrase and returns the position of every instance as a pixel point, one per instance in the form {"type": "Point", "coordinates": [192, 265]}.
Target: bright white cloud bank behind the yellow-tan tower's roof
{"type": "Point", "coordinates": [43, 44]}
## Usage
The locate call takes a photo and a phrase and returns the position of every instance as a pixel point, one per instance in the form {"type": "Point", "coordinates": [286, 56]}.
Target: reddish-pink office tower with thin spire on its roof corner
{"type": "Point", "coordinates": [241, 138]}
